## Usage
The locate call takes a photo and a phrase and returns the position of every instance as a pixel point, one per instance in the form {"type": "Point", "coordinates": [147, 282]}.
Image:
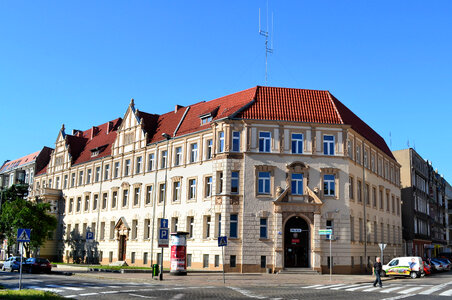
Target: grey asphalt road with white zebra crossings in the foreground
{"type": "Point", "coordinates": [438, 286]}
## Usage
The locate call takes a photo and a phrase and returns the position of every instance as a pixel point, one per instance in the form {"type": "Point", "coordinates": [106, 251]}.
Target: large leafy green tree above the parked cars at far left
{"type": "Point", "coordinates": [21, 213]}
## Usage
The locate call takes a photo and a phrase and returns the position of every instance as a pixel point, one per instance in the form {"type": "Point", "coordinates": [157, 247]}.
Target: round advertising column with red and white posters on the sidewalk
{"type": "Point", "coordinates": [178, 253]}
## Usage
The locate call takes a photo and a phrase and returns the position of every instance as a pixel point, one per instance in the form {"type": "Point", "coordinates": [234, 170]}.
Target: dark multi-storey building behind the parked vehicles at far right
{"type": "Point", "coordinates": [424, 205]}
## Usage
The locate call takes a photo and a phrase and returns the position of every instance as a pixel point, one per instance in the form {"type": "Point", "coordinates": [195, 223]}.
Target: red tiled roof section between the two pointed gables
{"type": "Point", "coordinates": [98, 137]}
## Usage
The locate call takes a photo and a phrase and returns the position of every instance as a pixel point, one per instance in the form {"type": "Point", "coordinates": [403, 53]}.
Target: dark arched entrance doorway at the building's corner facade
{"type": "Point", "coordinates": [296, 243]}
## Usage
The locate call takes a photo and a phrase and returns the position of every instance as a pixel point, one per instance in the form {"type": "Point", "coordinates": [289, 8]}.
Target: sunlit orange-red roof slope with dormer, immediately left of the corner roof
{"type": "Point", "coordinates": [218, 109]}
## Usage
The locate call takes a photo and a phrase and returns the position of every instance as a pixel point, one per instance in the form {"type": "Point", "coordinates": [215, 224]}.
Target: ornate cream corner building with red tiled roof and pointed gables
{"type": "Point", "coordinates": [267, 167]}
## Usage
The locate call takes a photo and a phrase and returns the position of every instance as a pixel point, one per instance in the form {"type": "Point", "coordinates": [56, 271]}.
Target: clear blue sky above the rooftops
{"type": "Point", "coordinates": [80, 62]}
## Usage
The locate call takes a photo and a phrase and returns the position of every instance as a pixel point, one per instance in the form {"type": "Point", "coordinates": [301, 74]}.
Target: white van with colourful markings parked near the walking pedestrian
{"type": "Point", "coordinates": [405, 266]}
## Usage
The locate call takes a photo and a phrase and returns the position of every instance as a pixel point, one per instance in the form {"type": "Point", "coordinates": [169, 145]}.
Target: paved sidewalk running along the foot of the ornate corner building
{"type": "Point", "coordinates": [232, 279]}
